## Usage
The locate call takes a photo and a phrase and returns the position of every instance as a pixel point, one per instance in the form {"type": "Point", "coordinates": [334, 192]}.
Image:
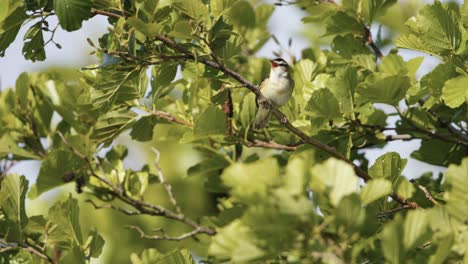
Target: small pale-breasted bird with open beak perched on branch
{"type": "Point", "coordinates": [277, 88]}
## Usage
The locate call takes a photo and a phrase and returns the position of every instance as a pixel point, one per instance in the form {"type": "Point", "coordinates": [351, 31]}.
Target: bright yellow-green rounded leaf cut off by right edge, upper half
{"type": "Point", "coordinates": [455, 91]}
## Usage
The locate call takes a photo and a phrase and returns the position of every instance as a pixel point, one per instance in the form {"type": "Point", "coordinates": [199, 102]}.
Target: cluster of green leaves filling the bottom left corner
{"type": "Point", "coordinates": [60, 233]}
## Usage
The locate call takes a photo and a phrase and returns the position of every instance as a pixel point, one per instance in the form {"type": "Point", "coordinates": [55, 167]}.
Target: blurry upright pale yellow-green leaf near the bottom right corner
{"type": "Point", "coordinates": [415, 226]}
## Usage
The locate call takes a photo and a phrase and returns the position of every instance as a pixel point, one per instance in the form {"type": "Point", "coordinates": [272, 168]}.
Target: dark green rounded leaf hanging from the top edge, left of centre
{"type": "Point", "coordinates": [71, 13]}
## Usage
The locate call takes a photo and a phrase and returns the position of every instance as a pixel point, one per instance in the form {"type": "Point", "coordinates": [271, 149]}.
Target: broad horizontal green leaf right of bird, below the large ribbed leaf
{"type": "Point", "coordinates": [388, 90]}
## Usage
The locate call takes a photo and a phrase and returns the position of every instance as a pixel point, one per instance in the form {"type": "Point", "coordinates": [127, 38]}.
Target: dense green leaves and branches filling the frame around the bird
{"type": "Point", "coordinates": [183, 73]}
